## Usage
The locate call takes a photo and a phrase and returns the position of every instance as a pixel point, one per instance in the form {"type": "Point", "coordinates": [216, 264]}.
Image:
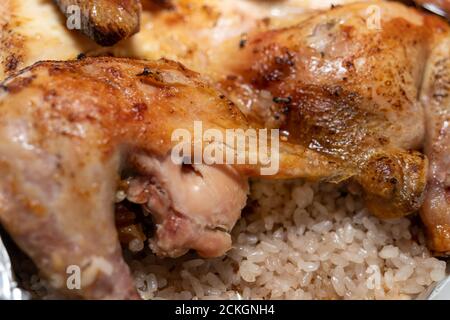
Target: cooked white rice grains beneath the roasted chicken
{"type": "Point", "coordinates": [301, 241]}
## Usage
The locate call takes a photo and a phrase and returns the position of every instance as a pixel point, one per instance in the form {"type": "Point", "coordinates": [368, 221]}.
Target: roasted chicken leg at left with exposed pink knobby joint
{"type": "Point", "coordinates": [68, 129]}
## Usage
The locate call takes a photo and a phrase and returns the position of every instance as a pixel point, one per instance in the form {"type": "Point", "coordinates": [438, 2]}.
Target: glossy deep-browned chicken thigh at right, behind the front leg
{"type": "Point", "coordinates": [344, 90]}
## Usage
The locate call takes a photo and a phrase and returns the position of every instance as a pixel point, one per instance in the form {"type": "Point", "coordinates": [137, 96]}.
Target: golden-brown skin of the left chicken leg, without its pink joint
{"type": "Point", "coordinates": [78, 122]}
